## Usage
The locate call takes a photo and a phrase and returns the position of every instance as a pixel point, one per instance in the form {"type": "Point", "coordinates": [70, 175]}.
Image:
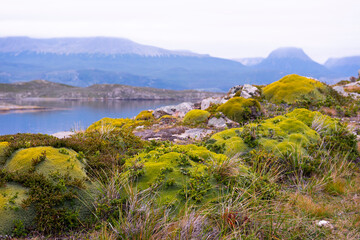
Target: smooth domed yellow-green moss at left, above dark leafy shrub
{"type": "Point", "coordinates": [62, 161]}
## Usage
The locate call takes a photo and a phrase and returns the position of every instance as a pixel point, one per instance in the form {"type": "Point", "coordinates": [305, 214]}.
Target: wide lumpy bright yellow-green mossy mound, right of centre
{"type": "Point", "coordinates": [281, 135]}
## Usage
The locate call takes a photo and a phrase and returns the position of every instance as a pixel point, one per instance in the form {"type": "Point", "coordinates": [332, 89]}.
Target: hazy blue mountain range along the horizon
{"type": "Point", "coordinates": [97, 60]}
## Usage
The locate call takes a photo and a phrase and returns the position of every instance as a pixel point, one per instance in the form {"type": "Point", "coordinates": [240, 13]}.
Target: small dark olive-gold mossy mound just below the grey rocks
{"type": "Point", "coordinates": [240, 109]}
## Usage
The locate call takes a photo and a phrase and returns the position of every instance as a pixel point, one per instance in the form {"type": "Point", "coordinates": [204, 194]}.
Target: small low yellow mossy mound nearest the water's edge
{"type": "Point", "coordinates": [109, 124]}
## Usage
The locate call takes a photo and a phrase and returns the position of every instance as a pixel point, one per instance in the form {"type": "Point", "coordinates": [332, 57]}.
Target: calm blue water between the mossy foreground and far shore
{"type": "Point", "coordinates": [71, 114]}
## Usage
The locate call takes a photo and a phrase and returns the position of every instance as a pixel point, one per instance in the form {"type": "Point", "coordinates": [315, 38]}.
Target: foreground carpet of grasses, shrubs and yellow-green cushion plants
{"type": "Point", "coordinates": [272, 178]}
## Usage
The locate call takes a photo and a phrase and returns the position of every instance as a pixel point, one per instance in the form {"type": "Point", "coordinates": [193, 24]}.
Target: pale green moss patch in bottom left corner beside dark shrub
{"type": "Point", "coordinates": [11, 197]}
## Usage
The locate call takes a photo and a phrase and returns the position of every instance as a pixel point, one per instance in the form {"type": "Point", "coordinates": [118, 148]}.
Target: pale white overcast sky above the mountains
{"type": "Point", "coordinates": [222, 28]}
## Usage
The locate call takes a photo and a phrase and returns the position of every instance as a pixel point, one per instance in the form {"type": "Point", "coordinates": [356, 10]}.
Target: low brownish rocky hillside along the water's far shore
{"type": "Point", "coordinates": [46, 89]}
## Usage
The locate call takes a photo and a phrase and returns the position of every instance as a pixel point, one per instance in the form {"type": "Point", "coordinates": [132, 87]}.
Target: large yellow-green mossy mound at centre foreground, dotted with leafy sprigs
{"type": "Point", "coordinates": [180, 172]}
